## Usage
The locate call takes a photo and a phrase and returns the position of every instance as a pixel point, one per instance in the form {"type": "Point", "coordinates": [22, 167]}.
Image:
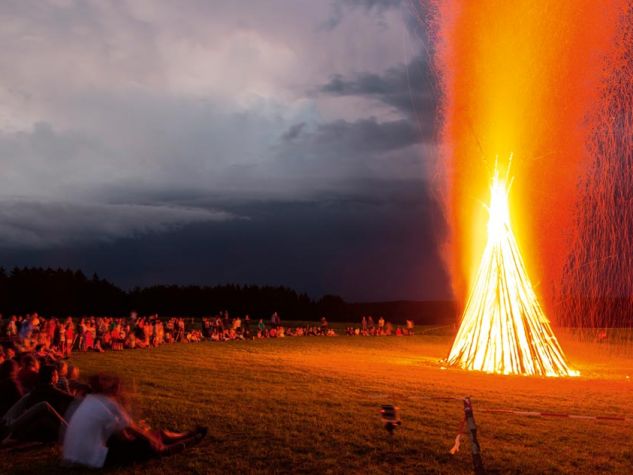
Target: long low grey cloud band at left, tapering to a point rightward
{"type": "Point", "coordinates": [39, 225]}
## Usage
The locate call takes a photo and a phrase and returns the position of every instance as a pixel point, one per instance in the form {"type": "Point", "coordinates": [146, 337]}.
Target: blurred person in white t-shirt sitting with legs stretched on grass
{"type": "Point", "coordinates": [101, 432]}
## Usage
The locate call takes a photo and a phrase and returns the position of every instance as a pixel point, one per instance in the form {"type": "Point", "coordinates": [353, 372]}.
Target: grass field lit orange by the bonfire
{"type": "Point", "coordinates": [311, 405]}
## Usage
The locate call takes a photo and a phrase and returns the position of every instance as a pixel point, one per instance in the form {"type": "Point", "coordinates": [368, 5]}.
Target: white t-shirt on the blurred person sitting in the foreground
{"type": "Point", "coordinates": [89, 429]}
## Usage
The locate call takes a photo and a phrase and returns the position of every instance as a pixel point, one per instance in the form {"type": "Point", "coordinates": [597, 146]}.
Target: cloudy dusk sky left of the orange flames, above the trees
{"type": "Point", "coordinates": [277, 142]}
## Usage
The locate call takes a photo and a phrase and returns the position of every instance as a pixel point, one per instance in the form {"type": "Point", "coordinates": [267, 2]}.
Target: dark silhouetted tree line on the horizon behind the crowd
{"type": "Point", "coordinates": [62, 292]}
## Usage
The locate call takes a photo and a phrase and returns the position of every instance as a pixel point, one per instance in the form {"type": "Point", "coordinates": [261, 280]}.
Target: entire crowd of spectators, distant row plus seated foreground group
{"type": "Point", "coordinates": [42, 398]}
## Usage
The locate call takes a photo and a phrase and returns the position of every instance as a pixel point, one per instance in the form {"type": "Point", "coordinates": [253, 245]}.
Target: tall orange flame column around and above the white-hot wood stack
{"type": "Point", "coordinates": [520, 77]}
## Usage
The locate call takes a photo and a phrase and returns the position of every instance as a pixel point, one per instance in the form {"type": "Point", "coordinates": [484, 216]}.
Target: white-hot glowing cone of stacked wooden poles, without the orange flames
{"type": "Point", "coordinates": [504, 329]}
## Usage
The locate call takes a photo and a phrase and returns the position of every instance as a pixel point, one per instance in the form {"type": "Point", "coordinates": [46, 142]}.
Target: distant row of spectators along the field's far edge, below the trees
{"type": "Point", "coordinates": [58, 338]}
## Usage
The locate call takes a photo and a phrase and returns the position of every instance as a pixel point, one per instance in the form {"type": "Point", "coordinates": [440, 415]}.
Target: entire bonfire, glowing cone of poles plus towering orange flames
{"type": "Point", "coordinates": [525, 76]}
